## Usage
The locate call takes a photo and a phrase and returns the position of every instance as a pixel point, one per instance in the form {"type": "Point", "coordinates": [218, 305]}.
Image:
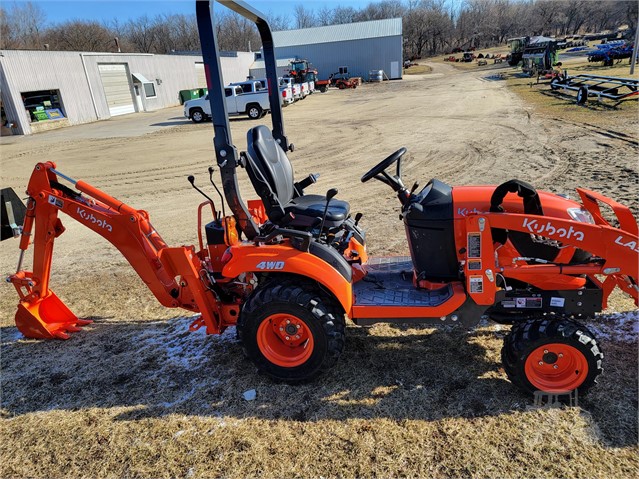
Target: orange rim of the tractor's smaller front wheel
{"type": "Point", "coordinates": [556, 368]}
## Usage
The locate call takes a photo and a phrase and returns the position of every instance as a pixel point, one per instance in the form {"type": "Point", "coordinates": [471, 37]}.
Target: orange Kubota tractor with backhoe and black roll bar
{"type": "Point", "coordinates": [288, 269]}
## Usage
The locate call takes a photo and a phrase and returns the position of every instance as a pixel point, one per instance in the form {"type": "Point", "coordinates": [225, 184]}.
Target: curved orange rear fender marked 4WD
{"type": "Point", "coordinates": [286, 259]}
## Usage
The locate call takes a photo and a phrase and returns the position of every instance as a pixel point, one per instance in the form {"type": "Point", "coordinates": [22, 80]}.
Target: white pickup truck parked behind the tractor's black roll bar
{"type": "Point", "coordinates": [238, 102]}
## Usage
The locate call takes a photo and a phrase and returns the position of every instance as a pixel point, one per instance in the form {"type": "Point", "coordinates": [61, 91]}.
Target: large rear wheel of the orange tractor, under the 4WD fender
{"type": "Point", "coordinates": [291, 330]}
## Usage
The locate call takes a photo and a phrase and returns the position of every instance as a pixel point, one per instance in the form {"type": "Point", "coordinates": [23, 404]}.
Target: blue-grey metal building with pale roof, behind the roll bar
{"type": "Point", "coordinates": [362, 47]}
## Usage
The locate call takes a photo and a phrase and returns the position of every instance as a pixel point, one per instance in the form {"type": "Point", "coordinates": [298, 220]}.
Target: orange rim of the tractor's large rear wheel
{"type": "Point", "coordinates": [285, 340]}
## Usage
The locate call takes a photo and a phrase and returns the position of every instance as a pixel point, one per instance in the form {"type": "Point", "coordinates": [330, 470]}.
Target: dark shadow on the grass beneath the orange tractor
{"type": "Point", "coordinates": [155, 368]}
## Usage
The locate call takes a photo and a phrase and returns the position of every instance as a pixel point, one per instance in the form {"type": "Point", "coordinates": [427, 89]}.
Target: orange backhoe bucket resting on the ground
{"type": "Point", "coordinates": [47, 318]}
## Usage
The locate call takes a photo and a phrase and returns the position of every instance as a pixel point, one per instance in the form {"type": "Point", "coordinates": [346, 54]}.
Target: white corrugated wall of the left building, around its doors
{"type": "Point", "coordinates": [25, 71]}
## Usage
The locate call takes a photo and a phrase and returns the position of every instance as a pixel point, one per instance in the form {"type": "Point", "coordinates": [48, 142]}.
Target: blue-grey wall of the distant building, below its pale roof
{"type": "Point", "coordinates": [360, 56]}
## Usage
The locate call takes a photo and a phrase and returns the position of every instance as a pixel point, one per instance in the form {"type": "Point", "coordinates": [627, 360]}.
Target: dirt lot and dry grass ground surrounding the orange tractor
{"type": "Point", "coordinates": [136, 395]}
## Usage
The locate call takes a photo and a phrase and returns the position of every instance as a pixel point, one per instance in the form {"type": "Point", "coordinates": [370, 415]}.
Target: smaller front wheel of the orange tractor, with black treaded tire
{"type": "Point", "coordinates": [527, 339]}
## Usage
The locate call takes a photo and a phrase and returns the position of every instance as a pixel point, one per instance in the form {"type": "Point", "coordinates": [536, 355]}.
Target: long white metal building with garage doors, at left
{"type": "Point", "coordinates": [41, 90]}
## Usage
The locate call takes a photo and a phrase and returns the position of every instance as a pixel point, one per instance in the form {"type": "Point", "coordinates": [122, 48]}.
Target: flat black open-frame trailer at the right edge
{"type": "Point", "coordinates": [601, 87]}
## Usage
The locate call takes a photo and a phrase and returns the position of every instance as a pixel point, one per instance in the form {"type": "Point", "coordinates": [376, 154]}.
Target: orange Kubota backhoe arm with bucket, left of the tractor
{"type": "Point", "coordinates": [41, 314]}
